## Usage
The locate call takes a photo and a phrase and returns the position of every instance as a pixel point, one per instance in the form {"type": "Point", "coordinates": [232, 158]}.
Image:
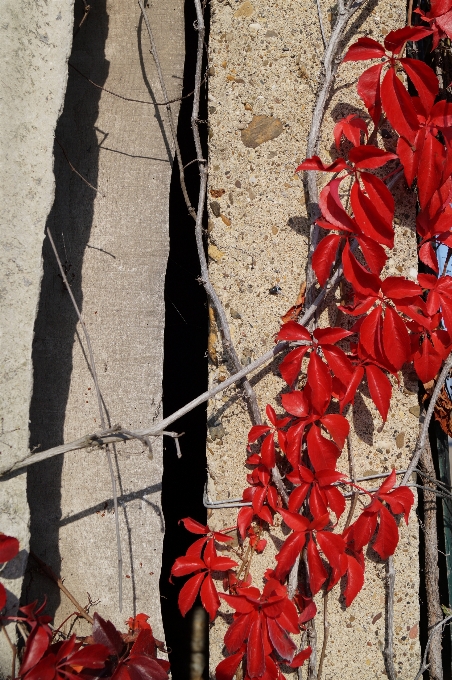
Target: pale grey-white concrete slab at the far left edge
{"type": "Point", "coordinates": [35, 40]}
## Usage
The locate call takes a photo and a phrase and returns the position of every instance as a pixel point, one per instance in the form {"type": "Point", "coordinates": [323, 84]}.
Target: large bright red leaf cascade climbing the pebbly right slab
{"type": "Point", "coordinates": [396, 321]}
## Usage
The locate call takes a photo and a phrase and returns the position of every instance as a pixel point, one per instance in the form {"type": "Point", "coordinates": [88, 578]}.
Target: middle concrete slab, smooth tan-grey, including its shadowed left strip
{"type": "Point", "coordinates": [114, 243]}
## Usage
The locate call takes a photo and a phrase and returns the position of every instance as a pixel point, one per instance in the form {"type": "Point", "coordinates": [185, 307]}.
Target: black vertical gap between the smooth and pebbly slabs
{"type": "Point", "coordinates": [184, 371]}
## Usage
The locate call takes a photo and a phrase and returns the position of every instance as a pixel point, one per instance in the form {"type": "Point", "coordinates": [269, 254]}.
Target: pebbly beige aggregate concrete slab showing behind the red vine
{"type": "Point", "coordinates": [265, 58]}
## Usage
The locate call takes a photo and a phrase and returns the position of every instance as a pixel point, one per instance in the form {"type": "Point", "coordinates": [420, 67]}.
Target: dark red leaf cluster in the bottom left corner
{"type": "Point", "coordinates": [106, 653]}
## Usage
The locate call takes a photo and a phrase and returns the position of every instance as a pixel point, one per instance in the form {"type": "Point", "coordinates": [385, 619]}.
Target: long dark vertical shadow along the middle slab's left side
{"type": "Point", "coordinates": [55, 328]}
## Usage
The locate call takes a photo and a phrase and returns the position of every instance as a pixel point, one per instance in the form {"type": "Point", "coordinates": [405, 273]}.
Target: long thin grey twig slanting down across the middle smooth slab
{"type": "Point", "coordinates": [92, 365]}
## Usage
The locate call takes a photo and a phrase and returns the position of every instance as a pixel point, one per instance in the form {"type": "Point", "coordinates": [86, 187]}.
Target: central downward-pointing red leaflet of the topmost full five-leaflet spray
{"type": "Point", "coordinates": [398, 106]}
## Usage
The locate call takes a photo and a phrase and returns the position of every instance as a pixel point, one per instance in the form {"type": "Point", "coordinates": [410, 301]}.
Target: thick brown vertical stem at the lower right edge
{"type": "Point", "coordinates": [434, 611]}
